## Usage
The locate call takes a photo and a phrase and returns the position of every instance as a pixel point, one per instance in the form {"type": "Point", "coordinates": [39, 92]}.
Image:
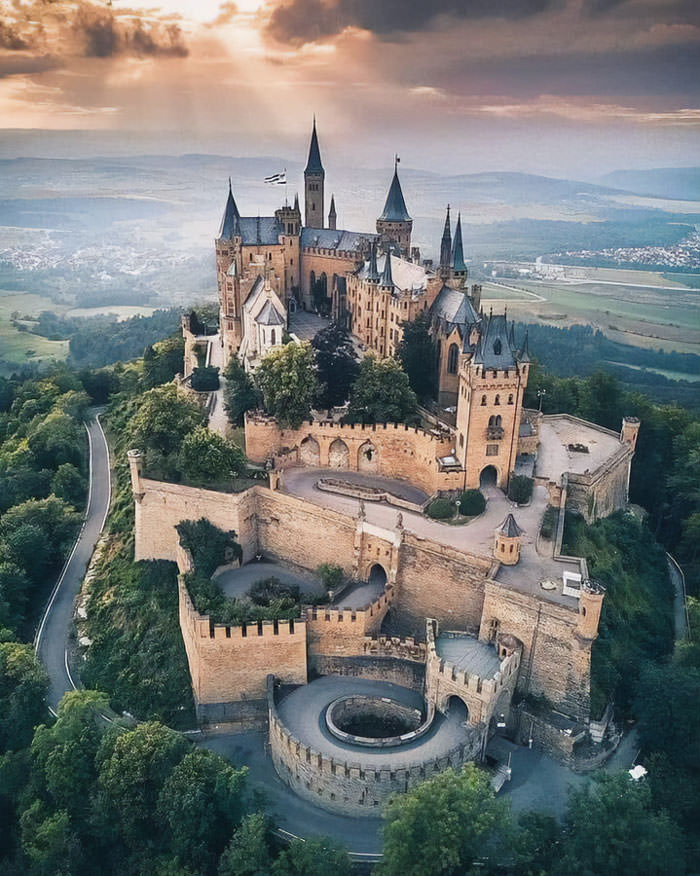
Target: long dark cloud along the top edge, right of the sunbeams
{"type": "Point", "coordinates": [301, 21]}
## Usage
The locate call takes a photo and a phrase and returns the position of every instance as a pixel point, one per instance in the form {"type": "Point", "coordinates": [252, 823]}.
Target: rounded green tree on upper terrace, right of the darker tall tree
{"type": "Point", "coordinates": [381, 393]}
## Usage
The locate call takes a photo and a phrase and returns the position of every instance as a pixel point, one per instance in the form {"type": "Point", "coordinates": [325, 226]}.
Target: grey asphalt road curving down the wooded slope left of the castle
{"type": "Point", "coordinates": [51, 642]}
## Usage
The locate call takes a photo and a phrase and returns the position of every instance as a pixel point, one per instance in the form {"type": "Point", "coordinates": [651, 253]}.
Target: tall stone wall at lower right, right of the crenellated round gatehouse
{"type": "Point", "coordinates": [555, 662]}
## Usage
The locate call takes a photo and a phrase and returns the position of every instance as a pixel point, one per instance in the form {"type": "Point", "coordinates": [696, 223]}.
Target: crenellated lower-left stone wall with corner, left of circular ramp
{"type": "Point", "coordinates": [230, 664]}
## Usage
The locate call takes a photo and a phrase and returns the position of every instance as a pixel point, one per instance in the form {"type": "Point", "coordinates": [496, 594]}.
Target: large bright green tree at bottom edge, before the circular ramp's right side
{"type": "Point", "coordinates": [443, 825]}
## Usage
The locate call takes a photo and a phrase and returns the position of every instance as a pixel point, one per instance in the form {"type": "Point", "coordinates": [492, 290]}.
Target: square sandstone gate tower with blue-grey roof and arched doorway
{"type": "Point", "coordinates": [492, 382]}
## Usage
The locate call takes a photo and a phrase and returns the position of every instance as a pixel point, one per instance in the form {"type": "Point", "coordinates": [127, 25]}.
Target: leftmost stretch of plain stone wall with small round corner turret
{"type": "Point", "coordinates": [163, 505]}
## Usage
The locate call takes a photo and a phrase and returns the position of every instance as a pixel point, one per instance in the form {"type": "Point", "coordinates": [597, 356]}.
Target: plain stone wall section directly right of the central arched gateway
{"type": "Point", "coordinates": [437, 581]}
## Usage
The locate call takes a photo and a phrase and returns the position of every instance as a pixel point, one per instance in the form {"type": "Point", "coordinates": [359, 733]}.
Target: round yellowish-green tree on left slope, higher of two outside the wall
{"type": "Point", "coordinates": [164, 416]}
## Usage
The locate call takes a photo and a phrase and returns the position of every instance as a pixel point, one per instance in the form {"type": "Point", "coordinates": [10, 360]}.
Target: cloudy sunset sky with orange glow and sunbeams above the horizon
{"type": "Point", "coordinates": [561, 87]}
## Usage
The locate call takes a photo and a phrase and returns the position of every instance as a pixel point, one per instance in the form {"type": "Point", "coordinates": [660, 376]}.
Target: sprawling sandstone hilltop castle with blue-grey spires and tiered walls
{"type": "Point", "coordinates": [454, 634]}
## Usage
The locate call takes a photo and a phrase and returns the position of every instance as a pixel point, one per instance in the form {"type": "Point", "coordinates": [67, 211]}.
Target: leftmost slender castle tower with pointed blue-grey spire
{"type": "Point", "coordinates": [228, 270]}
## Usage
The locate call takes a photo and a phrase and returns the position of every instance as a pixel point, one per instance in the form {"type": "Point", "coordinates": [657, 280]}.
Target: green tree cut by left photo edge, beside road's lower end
{"type": "Point", "coordinates": [23, 687]}
